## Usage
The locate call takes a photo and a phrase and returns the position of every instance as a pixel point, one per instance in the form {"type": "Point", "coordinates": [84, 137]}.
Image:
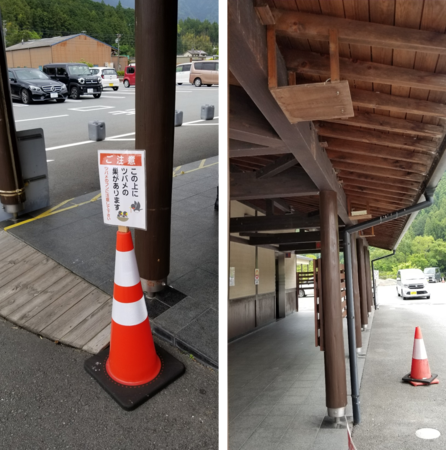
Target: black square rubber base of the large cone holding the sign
{"type": "Point", "coordinates": [130, 397]}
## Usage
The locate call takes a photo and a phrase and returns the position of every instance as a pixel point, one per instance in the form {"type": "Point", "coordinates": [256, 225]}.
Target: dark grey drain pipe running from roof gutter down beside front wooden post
{"type": "Point", "coordinates": [355, 389]}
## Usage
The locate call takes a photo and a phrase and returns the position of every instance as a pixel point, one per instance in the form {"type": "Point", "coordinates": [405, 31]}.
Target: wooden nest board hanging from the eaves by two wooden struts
{"type": "Point", "coordinates": [315, 101]}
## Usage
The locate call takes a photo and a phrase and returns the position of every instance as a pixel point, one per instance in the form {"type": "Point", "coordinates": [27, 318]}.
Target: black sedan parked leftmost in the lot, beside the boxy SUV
{"type": "Point", "coordinates": [31, 85]}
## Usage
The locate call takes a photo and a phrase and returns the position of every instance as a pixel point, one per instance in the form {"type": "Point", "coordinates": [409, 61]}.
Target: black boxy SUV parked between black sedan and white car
{"type": "Point", "coordinates": [77, 78]}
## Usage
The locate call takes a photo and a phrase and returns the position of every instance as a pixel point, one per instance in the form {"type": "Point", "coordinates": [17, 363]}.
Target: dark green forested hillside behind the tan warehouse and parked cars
{"type": "Point", "coordinates": [35, 19]}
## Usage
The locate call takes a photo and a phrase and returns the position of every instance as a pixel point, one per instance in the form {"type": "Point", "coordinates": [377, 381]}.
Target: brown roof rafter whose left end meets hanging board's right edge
{"type": "Point", "coordinates": [378, 100]}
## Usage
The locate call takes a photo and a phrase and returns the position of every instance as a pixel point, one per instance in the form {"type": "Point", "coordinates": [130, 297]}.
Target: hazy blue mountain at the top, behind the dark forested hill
{"type": "Point", "coordinates": [194, 9]}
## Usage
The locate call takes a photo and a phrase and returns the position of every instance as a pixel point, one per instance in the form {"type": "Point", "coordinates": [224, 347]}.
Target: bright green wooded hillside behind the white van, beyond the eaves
{"type": "Point", "coordinates": [424, 244]}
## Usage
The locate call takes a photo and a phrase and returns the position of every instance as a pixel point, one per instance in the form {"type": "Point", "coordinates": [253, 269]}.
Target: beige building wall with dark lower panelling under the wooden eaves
{"type": "Point", "coordinates": [246, 310]}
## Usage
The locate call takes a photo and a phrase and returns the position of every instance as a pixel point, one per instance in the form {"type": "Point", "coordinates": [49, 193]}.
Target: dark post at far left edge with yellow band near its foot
{"type": "Point", "coordinates": [12, 190]}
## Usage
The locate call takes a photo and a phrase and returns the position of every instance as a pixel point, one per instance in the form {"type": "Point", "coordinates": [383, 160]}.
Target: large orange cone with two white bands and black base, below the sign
{"type": "Point", "coordinates": [133, 369]}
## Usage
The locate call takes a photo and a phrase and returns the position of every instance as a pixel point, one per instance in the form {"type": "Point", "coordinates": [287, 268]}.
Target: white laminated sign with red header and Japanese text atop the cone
{"type": "Point", "coordinates": [123, 187]}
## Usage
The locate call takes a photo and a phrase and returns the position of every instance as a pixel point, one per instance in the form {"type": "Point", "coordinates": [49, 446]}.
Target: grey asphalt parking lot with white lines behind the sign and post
{"type": "Point", "coordinates": [72, 158]}
